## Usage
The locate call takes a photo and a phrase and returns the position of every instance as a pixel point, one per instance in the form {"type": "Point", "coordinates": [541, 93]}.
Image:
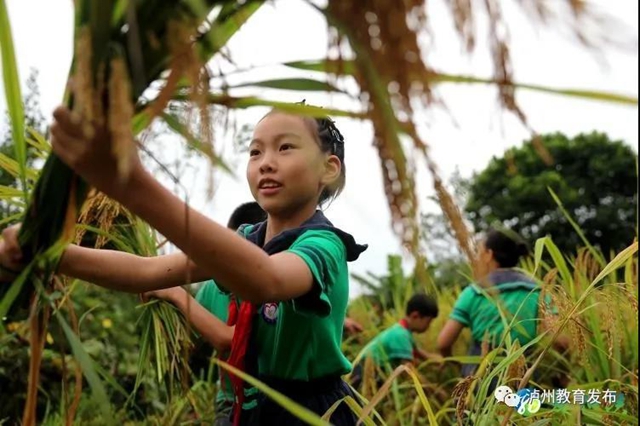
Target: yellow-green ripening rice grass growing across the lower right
{"type": "Point", "coordinates": [597, 311]}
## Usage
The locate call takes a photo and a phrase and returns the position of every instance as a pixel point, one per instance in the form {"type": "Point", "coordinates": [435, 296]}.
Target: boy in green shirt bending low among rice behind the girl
{"type": "Point", "coordinates": [396, 345]}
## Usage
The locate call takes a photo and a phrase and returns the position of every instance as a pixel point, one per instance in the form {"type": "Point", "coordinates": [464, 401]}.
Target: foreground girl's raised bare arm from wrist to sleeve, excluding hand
{"type": "Point", "coordinates": [237, 264]}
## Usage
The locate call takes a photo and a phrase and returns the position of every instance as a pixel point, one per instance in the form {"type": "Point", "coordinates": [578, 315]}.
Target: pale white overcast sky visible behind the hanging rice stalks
{"type": "Point", "coordinates": [463, 138]}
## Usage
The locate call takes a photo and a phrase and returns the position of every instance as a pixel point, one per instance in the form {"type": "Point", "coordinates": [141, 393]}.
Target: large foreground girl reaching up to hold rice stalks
{"type": "Point", "coordinates": [290, 271]}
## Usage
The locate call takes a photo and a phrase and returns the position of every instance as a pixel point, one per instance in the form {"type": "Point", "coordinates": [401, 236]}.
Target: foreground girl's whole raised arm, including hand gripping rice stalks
{"type": "Point", "coordinates": [240, 266]}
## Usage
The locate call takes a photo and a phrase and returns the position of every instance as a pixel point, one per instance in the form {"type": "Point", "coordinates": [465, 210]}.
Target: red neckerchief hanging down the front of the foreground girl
{"type": "Point", "coordinates": [242, 318]}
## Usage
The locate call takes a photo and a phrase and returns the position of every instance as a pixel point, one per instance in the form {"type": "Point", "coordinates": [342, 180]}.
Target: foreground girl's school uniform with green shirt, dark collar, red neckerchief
{"type": "Point", "coordinates": [295, 346]}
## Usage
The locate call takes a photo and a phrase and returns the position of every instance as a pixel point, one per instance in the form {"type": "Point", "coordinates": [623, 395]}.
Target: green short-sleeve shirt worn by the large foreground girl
{"type": "Point", "coordinates": [301, 339]}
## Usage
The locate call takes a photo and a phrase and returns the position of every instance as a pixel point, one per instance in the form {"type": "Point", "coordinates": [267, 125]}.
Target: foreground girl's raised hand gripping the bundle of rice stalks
{"type": "Point", "coordinates": [88, 150]}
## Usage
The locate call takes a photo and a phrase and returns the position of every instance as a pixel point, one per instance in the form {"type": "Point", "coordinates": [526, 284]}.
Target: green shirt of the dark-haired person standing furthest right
{"type": "Point", "coordinates": [479, 312]}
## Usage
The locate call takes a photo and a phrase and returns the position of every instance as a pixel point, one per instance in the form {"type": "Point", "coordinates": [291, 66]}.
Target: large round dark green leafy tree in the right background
{"type": "Point", "coordinates": [594, 177]}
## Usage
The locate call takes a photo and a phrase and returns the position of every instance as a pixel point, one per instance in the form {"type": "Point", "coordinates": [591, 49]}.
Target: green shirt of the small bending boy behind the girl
{"type": "Point", "coordinates": [394, 346]}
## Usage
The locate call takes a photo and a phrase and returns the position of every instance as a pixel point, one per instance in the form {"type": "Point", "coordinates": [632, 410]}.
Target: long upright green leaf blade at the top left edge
{"type": "Point", "coordinates": [13, 95]}
